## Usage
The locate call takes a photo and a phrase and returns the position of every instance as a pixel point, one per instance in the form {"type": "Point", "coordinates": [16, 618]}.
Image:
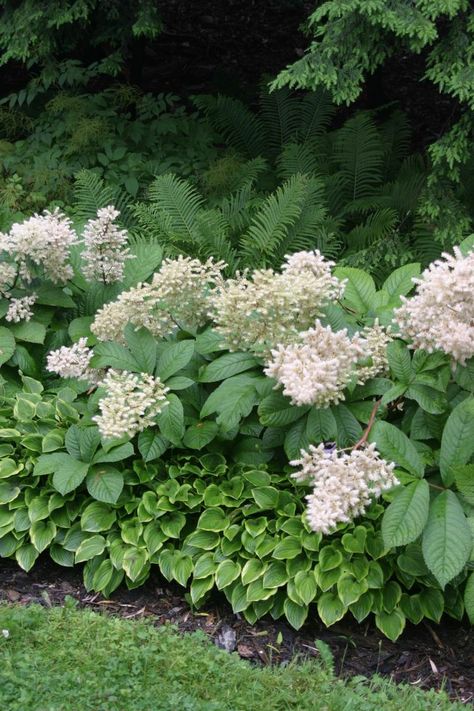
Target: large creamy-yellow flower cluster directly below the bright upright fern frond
{"type": "Point", "coordinates": [268, 309]}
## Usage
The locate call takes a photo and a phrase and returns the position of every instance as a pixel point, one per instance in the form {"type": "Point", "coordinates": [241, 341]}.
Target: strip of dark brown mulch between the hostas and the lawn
{"type": "Point", "coordinates": [427, 656]}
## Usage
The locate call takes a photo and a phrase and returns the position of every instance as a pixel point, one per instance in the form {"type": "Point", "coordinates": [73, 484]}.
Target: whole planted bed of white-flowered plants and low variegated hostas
{"type": "Point", "coordinates": [186, 394]}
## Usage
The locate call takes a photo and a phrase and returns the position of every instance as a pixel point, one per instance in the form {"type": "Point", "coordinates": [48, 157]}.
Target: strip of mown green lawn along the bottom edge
{"type": "Point", "coordinates": [64, 659]}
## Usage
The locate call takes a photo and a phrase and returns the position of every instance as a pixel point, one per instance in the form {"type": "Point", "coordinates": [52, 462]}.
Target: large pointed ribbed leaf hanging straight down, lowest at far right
{"type": "Point", "coordinates": [447, 538]}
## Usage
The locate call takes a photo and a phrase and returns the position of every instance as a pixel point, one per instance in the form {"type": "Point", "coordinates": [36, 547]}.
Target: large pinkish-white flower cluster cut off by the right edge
{"type": "Point", "coordinates": [441, 314]}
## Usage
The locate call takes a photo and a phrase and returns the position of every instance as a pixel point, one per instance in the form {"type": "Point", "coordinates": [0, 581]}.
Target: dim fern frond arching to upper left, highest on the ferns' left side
{"type": "Point", "coordinates": [235, 122]}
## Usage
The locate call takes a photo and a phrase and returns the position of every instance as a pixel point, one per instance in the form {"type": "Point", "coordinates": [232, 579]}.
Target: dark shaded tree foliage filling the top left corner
{"type": "Point", "coordinates": [49, 37]}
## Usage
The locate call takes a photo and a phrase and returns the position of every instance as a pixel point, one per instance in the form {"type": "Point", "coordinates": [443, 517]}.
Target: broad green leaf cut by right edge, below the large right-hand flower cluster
{"type": "Point", "coordinates": [457, 442]}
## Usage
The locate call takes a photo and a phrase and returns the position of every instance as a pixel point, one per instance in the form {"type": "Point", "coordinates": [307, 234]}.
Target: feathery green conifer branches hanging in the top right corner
{"type": "Point", "coordinates": [351, 40]}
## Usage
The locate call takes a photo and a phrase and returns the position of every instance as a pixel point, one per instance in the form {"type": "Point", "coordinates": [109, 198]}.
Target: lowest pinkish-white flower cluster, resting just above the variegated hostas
{"type": "Point", "coordinates": [343, 483]}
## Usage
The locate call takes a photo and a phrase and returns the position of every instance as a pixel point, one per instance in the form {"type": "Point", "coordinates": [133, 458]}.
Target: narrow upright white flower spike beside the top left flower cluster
{"type": "Point", "coordinates": [105, 248]}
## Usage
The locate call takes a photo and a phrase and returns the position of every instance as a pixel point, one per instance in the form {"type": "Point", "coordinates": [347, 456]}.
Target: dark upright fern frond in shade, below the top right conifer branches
{"type": "Point", "coordinates": [358, 154]}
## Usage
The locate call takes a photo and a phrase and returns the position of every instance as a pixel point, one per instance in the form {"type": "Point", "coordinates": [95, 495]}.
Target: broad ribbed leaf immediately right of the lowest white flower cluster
{"type": "Point", "coordinates": [406, 517]}
